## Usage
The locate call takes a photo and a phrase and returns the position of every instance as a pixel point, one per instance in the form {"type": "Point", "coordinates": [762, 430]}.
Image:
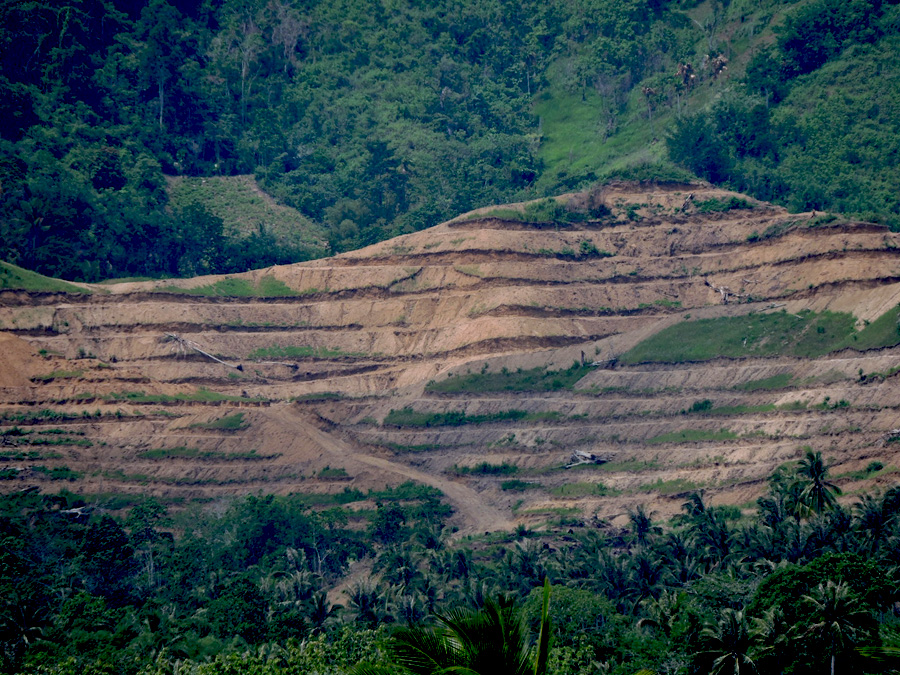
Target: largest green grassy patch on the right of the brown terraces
{"type": "Point", "coordinates": [806, 334]}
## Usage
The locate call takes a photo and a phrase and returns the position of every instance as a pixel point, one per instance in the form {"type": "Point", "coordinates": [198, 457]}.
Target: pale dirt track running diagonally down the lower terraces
{"type": "Point", "coordinates": [476, 515]}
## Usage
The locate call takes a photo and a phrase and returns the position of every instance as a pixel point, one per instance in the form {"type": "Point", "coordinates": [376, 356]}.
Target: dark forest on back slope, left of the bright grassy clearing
{"type": "Point", "coordinates": [376, 119]}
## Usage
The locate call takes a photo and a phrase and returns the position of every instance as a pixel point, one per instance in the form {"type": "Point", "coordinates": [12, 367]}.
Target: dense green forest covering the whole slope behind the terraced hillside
{"type": "Point", "coordinates": [378, 117]}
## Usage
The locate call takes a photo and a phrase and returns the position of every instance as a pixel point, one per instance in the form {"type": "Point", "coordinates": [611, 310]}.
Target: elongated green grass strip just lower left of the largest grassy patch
{"type": "Point", "coordinates": [534, 379]}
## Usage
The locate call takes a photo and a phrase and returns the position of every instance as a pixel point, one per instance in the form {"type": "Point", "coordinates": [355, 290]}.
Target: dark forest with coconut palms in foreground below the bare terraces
{"type": "Point", "coordinates": [796, 583]}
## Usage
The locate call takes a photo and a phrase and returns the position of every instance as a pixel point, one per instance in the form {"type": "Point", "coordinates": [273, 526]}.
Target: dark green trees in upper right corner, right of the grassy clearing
{"type": "Point", "coordinates": [790, 139]}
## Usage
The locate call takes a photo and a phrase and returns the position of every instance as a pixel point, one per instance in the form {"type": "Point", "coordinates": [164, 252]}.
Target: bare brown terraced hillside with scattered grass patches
{"type": "Point", "coordinates": [482, 356]}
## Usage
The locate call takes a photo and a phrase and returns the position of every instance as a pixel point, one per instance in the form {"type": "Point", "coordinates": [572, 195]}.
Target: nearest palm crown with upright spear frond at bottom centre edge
{"type": "Point", "coordinates": [493, 640]}
